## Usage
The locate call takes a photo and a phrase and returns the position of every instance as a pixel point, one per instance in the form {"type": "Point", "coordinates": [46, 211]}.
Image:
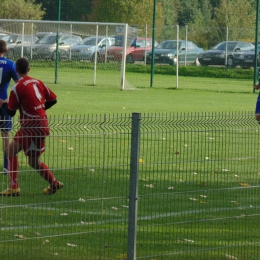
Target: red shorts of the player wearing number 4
{"type": "Point", "coordinates": [33, 143]}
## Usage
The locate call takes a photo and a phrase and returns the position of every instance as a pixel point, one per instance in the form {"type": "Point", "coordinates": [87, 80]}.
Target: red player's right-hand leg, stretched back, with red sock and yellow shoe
{"type": "Point", "coordinates": [35, 162]}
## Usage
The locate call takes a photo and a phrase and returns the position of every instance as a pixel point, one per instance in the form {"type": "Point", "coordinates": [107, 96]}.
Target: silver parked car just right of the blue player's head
{"type": "Point", "coordinates": [17, 42]}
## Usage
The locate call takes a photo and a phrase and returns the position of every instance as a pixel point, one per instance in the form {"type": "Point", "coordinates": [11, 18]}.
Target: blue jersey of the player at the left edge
{"type": "Point", "coordinates": [7, 72]}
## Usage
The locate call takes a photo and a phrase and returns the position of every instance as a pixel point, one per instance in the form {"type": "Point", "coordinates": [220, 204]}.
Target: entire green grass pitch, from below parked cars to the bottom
{"type": "Point", "coordinates": [199, 139]}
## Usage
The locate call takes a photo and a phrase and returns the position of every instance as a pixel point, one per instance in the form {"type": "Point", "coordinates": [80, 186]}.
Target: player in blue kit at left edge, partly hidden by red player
{"type": "Point", "coordinates": [7, 72]}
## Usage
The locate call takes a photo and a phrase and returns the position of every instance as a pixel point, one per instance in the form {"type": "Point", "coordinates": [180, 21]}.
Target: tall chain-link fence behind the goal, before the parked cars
{"type": "Point", "coordinates": [76, 60]}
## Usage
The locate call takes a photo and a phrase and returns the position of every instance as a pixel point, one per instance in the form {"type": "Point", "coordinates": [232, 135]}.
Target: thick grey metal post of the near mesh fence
{"type": "Point", "coordinates": [133, 191]}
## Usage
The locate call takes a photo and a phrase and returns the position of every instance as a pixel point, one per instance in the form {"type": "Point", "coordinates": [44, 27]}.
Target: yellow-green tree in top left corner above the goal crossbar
{"type": "Point", "coordinates": [21, 9]}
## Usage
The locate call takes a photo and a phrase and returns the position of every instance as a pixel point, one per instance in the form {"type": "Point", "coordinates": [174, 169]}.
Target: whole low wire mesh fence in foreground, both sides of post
{"type": "Point", "coordinates": [198, 190]}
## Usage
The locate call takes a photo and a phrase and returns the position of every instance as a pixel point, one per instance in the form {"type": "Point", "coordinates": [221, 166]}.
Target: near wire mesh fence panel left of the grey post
{"type": "Point", "coordinates": [87, 219]}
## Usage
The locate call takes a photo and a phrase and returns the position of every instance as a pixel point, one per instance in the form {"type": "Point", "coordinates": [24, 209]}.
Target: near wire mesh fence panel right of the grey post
{"type": "Point", "coordinates": [199, 187]}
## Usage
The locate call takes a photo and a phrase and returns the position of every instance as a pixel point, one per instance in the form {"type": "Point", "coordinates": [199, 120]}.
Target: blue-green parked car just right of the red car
{"type": "Point", "coordinates": [166, 52]}
